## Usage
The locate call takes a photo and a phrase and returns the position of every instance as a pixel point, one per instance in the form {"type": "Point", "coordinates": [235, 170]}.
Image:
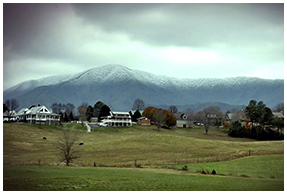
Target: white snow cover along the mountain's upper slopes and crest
{"type": "Point", "coordinates": [117, 73]}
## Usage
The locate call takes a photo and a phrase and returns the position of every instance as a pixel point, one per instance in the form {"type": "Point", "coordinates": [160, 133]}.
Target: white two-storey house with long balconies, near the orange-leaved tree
{"type": "Point", "coordinates": [118, 119]}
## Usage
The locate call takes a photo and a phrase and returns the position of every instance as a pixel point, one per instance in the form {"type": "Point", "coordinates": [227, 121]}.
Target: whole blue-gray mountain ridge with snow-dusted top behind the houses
{"type": "Point", "coordinates": [118, 86]}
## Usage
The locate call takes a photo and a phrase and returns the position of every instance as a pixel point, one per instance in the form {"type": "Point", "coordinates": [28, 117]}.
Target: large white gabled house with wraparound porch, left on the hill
{"type": "Point", "coordinates": [38, 115]}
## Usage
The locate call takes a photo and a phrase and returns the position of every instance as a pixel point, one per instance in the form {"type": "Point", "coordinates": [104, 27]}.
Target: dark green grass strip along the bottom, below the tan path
{"type": "Point", "coordinates": [56, 178]}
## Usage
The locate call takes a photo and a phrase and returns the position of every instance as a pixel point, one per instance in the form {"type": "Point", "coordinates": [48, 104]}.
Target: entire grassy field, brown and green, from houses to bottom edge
{"type": "Point", "coordinates": [31, 163]}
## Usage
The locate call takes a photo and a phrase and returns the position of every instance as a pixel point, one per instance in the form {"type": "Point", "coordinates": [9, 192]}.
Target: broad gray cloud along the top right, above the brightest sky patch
{"type": "Point", "coordinates": [190, 25]}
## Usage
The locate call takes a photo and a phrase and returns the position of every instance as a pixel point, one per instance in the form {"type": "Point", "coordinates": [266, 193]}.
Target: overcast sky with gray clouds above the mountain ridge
{"type": "Point", "coordinates": [179, 40]}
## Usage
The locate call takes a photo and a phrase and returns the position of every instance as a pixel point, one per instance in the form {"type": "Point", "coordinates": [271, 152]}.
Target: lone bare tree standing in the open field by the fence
{"type": "Point", "coordinates": [66, 146]}
